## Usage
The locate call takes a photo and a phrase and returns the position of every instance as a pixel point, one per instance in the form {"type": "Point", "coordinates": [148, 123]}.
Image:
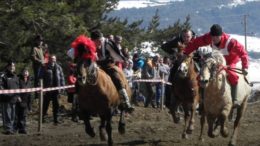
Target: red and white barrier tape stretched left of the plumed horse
{"type": "Point", "coordinates": [11, 91]}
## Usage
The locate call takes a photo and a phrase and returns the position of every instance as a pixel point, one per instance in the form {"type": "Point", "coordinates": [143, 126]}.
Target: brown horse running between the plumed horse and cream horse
{"type": "Point", "coordinates": [185, 92]}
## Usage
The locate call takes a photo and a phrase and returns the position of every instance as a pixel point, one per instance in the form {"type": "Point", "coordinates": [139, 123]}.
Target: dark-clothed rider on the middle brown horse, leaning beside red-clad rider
{"type": "Point", "coordinates": [175, 46]}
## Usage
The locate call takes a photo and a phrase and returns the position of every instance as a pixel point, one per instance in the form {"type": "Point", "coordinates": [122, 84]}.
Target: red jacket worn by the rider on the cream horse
{"type": "Point", "coordinates": [236, 50]}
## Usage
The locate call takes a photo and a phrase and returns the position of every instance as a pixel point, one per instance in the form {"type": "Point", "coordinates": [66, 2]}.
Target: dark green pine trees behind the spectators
{"type": "Point", "coordinates": [61, 21]}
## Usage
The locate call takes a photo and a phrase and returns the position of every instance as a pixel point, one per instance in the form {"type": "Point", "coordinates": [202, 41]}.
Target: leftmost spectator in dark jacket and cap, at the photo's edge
{"type": "Point", "coordinates": [9, 80]}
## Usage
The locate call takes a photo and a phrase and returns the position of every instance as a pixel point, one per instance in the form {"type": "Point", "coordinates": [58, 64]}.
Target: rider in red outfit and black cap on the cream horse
{"type": "Point", "coordinates": [232, 50]}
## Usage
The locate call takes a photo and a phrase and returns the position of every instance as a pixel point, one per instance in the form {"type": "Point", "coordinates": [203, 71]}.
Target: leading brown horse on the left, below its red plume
{"type": "Point", "coordinates": [98, 95]}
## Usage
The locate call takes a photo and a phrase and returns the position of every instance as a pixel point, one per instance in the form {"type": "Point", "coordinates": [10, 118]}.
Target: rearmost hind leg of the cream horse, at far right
{"type": "Point", "coordinates": [240, 112]}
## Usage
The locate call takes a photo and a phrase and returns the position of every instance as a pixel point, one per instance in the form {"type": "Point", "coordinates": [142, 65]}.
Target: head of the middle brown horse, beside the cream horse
{"type": "Point", "coordinates": [184, 66]}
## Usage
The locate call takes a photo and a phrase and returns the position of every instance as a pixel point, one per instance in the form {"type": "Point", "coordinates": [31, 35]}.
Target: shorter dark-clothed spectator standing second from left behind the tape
{"type": "Point", "coordinates": [24, 104]}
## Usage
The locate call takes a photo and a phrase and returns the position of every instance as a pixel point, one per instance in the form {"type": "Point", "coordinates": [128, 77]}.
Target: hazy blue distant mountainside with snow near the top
{"type": "Point", "coordinates": [203, 13]}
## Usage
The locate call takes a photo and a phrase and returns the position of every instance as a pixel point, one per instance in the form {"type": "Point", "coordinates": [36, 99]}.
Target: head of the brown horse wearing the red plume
{"type": "Point", "coordinates": [88, 70]}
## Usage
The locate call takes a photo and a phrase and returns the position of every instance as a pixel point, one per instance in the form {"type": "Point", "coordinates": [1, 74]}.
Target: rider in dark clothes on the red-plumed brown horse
{"type": "Point", "coordinates": [107, 54]}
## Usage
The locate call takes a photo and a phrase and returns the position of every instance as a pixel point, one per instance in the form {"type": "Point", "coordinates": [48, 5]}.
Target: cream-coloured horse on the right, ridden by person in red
{"type": "Point", "coordinates": [217, 97]}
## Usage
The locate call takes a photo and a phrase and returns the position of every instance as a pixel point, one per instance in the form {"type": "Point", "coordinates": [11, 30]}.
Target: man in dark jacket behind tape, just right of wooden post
{"type": "Point", "coordinates": [52, 76]}
